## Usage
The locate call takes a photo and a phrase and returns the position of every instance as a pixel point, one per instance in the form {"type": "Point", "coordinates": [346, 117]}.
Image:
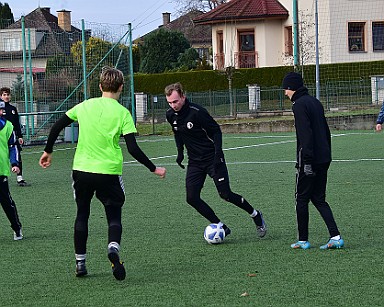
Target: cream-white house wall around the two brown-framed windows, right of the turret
{"type": "Point", "coordinates": [333, 18]}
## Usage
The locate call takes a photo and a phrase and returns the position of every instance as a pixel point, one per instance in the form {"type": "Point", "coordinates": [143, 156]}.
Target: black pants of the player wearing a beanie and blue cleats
{"type": "Point", "coordinates": [313, 189]}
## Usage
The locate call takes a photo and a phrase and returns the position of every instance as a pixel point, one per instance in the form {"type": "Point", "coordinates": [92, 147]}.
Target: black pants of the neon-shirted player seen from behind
{"type": "Point", "coordinates": [109, 190]}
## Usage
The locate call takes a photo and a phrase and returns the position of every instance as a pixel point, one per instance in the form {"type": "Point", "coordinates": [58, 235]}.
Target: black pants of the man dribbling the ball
{"type": "Point", "coordinates": [195, 178]}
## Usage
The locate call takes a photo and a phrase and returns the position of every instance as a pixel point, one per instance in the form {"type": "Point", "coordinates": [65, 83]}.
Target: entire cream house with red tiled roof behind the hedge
{"type": "Point", "coordinates": [260, 33]}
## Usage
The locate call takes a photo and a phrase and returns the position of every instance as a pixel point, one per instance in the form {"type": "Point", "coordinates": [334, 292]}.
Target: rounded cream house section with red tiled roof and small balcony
{"type": "Point", "coordinates": [242, 32]}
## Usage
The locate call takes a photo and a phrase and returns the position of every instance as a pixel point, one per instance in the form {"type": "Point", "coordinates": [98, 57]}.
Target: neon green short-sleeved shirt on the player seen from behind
{"type": "Point", "coordinates": [101, 123]}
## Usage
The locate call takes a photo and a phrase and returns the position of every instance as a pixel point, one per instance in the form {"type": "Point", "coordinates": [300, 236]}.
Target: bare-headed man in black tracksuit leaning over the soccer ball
{"type": "Point", "coordinates": [194, 128]}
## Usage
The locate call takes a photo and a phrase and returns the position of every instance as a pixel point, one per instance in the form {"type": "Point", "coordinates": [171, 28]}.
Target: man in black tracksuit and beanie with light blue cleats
{"type": "Point", "coordinates": [313, 159]}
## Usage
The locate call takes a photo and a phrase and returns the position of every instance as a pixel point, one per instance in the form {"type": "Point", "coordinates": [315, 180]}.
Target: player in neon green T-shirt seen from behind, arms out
{"type": "Point", "coordinates": [98, 163]}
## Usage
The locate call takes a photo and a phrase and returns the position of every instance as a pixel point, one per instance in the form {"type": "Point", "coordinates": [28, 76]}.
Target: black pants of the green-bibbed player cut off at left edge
{"type": "Point", "coordinates": [8, 204]}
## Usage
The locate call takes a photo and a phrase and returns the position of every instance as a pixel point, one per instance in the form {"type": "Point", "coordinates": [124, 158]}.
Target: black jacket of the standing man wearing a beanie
{"type": "Point", "coordinates": [312, 131]}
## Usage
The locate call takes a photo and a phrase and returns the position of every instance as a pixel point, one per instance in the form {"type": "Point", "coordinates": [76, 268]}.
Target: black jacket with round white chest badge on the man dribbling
{"type": "Point", "coordinates": [195, 128]}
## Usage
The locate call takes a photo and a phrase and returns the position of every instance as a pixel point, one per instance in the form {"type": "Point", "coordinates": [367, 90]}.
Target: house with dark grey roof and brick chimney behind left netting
{"type": "Point", "coordinates": [45, 36]}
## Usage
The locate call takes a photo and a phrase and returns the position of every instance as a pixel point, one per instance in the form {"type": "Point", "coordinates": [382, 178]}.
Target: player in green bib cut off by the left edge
{"type": "Point", "coordinates": [8, 162]}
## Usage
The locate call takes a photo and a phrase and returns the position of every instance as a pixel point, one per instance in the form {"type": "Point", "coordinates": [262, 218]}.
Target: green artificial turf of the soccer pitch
{"type": "Point", "coordinates": [169, 263]}
